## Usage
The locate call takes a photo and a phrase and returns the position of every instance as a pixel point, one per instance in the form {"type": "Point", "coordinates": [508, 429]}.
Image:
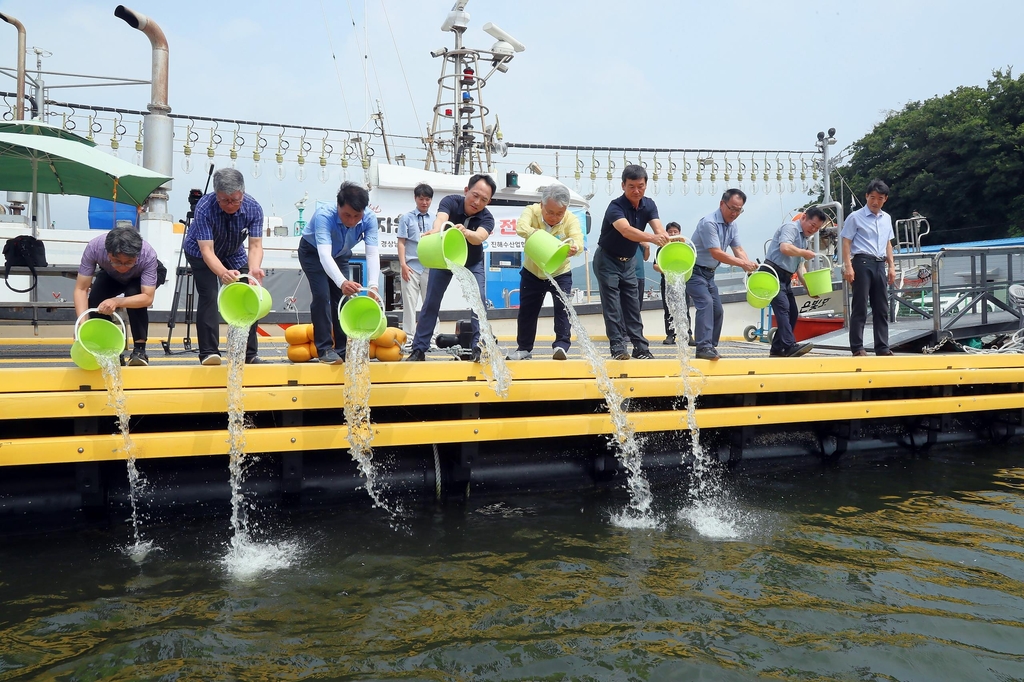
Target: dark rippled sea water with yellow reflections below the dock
{"type": "Point", "coordinates": [888, 569]}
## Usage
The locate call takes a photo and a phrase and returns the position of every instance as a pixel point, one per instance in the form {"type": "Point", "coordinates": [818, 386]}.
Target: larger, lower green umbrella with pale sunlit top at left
{"type": "Point", "coordinates": [55, 165]}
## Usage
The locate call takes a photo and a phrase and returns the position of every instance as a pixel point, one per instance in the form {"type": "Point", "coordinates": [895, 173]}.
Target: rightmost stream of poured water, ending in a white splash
{"type": "Point", "coordinates": [709, 513]}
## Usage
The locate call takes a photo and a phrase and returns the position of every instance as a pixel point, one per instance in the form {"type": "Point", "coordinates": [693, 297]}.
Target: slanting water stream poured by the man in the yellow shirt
{"type": "Point", "coordinates": [638, 515]}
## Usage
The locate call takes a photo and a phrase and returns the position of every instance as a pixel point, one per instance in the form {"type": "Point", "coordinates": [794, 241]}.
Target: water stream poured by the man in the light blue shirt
{"type": "Point", "coordinates": [361, 433]}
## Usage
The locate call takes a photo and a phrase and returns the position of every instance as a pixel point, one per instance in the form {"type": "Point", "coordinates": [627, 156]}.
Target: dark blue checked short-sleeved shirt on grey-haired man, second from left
{"type": "Point", "coordinates": [229, 232]}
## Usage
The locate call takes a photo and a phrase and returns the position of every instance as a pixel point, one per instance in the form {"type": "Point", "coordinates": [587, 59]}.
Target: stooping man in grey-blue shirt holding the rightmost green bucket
{"type": "Point", "coordinates": [786, 257]}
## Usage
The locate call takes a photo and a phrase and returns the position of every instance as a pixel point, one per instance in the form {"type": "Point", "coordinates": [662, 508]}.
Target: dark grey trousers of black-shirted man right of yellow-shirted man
{"type": "Point", "coordinates": [617, 281]}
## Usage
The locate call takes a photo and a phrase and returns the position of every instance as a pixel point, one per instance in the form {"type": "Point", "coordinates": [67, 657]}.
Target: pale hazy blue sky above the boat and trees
{"type": "Point", "coordinates": [723, 75]}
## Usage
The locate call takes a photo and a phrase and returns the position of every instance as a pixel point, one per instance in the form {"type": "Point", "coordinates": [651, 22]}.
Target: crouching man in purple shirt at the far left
{"type": "Point", "coordinates": [120, 271]}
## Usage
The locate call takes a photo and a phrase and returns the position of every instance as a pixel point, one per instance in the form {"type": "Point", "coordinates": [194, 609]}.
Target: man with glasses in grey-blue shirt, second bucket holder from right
{"type": "Point", "coordinates": [715, 234]}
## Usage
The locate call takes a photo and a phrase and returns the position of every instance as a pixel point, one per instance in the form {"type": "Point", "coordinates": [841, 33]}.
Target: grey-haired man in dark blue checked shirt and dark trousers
{"type": "Point", "coordinates": [215, 250]}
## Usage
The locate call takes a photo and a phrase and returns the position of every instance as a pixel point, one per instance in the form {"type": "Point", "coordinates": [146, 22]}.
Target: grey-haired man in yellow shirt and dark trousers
{"type": "Point", "coordinates": [551, 216]}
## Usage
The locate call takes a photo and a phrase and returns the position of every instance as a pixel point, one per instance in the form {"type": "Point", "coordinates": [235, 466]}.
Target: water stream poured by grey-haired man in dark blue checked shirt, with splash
{"type": "Point", "coordinates": [245, 559]}
